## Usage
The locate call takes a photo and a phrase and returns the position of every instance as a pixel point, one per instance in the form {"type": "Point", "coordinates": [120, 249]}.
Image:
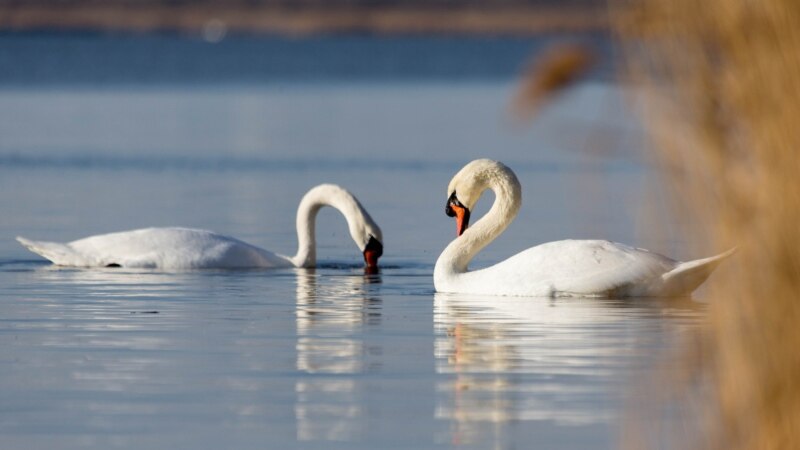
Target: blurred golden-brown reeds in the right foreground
{"type": "Point", "coordinates": [722, 86]}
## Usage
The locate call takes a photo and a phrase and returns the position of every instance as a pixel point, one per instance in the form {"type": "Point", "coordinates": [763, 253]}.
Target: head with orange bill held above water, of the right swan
{"type": "Point", "coordinates": [467, 186]}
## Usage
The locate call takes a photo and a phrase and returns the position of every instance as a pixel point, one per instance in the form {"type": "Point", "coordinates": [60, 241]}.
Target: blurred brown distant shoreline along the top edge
{"type": "Point", "coordinates": [213, 20]}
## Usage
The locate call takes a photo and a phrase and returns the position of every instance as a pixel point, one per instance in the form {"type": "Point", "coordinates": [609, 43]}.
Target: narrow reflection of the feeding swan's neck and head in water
{"type": "Point", "coordinates": [331, 313]}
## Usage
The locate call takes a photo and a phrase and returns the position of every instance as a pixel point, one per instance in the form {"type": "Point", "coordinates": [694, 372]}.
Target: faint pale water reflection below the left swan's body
{"type": "Point", "coordinates": [99, 331]}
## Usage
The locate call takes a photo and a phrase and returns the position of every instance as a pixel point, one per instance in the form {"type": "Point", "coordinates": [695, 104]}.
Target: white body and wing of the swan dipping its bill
{"type": "Point", "coordinates": [172, 248]}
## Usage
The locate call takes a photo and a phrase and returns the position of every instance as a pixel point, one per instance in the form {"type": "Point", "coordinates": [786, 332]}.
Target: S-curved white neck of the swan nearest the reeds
{"type": "Point", "coordinates": [508, 198]}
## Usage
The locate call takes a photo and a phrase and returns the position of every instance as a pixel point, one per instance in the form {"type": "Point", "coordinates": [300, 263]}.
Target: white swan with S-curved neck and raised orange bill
{"type": "Point", "coordinates": [593, 268]}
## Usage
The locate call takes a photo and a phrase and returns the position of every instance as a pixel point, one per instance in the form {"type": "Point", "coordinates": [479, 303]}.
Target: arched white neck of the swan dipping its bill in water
{"type": "Point", "coordinates": [312, 202]}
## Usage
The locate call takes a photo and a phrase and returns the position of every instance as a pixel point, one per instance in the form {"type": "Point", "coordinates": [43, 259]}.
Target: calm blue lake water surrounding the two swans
{"type": "Point", "coordinates": [104, 133]}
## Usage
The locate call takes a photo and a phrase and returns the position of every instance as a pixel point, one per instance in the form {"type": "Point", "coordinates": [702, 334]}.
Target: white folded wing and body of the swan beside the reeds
{"type": "Point", "coordinates": [581, 267]}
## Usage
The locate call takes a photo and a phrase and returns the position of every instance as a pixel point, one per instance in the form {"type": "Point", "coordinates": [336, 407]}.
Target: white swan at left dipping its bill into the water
{"type": "Point", "coordinates": [184, 248]}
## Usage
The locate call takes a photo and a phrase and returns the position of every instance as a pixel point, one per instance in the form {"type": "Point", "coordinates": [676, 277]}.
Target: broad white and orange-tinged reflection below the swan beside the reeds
{"type": "Point", "coordinates": [557, 361]}
